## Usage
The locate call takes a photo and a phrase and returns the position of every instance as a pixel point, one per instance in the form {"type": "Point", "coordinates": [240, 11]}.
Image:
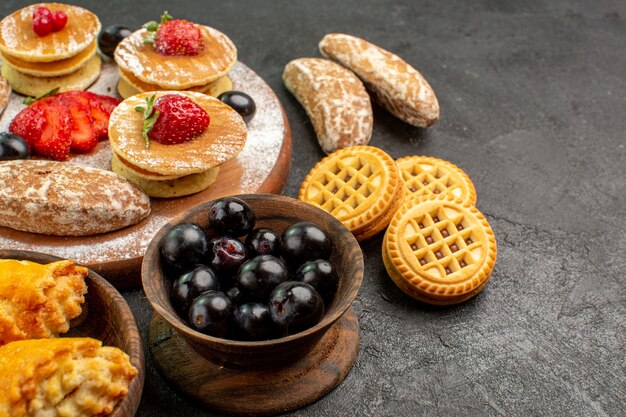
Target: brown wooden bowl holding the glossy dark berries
{"type": "Point", "coordinates": [277, 213]}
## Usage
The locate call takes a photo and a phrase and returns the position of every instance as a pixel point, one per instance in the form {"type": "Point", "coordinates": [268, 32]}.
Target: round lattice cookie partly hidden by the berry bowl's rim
{"type": "Point", "coordinates": [359, 185]}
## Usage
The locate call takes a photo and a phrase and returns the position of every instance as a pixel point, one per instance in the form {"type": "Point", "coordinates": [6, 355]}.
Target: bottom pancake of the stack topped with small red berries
{"type": "Point", "coordinates": [37, 86]}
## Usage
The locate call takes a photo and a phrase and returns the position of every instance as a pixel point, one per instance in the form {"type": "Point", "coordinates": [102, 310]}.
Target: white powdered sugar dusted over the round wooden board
{"type": "Point", "coordinates": [265, 139]}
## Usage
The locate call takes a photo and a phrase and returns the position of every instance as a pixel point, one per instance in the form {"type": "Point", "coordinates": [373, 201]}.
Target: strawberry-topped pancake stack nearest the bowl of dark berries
{"type": "Point", "coordinates": [174, 170]}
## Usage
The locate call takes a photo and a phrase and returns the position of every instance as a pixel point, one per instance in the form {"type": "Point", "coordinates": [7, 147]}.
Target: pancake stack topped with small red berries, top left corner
{"type": "Point", "coordinates": [33, 65]}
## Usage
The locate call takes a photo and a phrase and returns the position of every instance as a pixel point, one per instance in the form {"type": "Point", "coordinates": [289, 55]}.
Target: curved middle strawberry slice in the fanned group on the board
{"type": "Point", "coordinates": [83, 135]}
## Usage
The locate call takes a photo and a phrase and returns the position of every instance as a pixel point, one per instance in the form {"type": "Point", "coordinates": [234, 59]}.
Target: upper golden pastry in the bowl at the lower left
{"type": "Point", "coordinates": [38, 301]}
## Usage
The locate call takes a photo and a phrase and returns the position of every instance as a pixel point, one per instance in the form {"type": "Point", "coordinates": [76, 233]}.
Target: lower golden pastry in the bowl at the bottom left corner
{"type": "Point", "coordinates": [65, 377]}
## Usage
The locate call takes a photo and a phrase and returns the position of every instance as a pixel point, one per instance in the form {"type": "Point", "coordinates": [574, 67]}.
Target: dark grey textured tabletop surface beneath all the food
{"type": "Point", "coordinates": [533, 109]}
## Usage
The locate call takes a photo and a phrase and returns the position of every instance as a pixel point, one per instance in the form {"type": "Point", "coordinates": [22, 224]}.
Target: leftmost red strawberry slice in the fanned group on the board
{"type": "Point", "coordinates": [46, 126]}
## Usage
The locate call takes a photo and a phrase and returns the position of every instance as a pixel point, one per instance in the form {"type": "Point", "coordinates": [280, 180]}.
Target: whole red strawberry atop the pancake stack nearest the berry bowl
{"type": "Point", "coordinates": [180, 120]}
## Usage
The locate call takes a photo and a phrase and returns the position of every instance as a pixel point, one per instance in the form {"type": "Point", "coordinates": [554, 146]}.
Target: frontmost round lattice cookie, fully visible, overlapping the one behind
{"type": "Point", "coordinates": [439, 250]}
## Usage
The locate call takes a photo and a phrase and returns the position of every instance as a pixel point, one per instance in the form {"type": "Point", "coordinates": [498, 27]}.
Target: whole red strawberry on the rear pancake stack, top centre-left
{"type": "Point", "coordinates": [178, 37]}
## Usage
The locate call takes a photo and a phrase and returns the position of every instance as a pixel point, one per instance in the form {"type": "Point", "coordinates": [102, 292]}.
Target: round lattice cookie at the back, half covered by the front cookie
{"type": "Point", "coordinates": [424, 175]}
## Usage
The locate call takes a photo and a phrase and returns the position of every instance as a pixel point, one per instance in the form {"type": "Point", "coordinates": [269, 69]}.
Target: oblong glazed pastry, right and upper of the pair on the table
{"type": "Point", "coordinates": [395, 84]}
